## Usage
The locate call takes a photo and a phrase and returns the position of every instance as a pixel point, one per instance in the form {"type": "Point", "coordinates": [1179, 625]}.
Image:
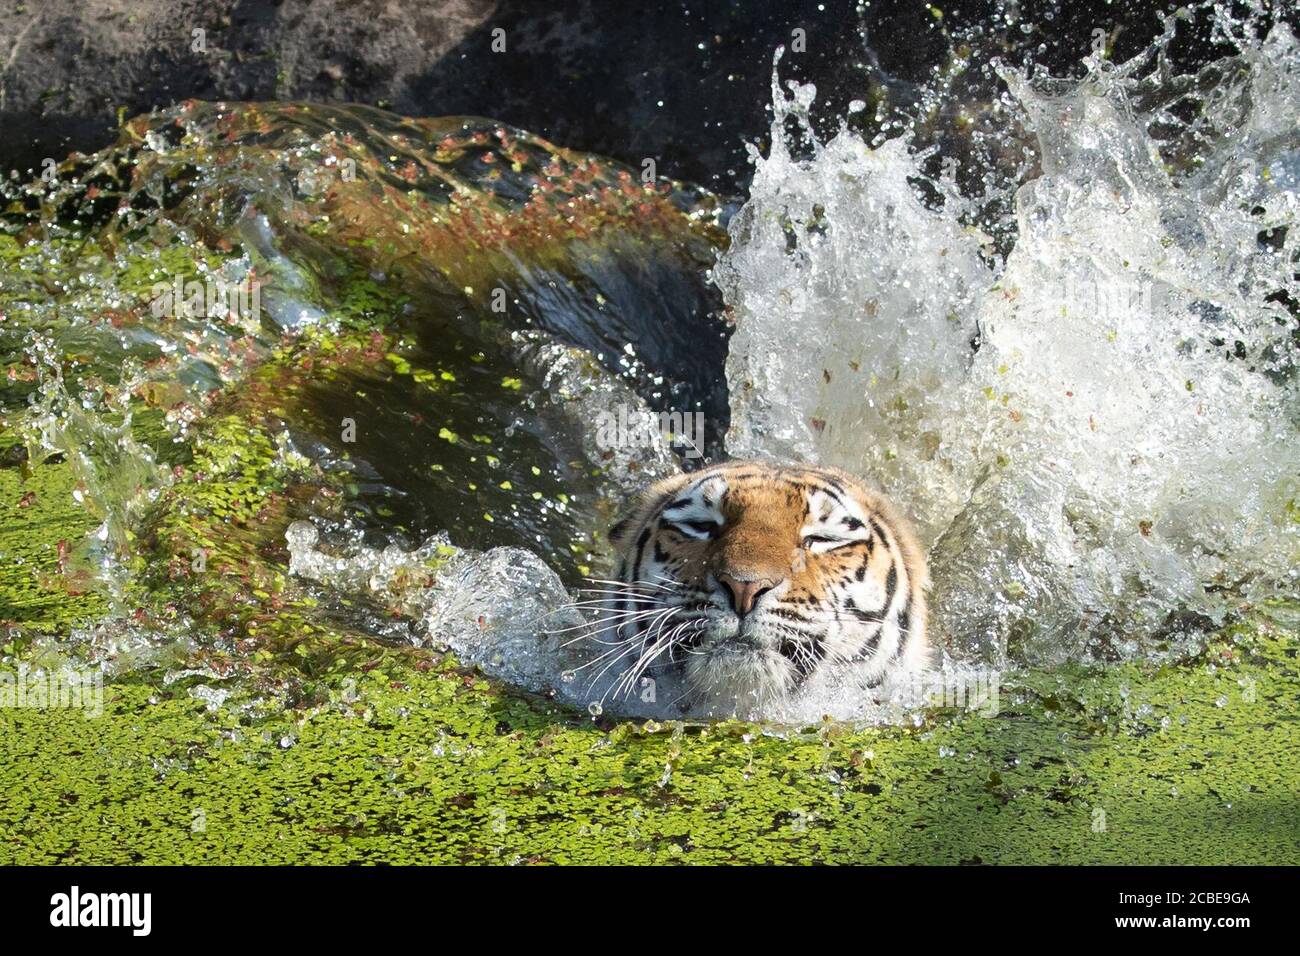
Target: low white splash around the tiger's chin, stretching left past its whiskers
{"type": "Point", "coordinates": [508, 613]}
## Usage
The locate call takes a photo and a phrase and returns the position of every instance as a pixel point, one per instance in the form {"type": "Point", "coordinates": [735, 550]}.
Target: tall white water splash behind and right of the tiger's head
{"type": "Point", "coordinates": [1123, 447]}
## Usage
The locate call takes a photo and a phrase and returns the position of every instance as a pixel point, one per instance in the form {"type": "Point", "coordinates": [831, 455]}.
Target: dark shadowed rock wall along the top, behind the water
{"type": "Point", "coordinates": [683, 84]}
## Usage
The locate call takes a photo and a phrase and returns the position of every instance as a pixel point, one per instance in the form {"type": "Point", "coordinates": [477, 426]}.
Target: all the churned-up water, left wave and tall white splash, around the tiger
{"type": "Point", "coordinates": [1068, 352]}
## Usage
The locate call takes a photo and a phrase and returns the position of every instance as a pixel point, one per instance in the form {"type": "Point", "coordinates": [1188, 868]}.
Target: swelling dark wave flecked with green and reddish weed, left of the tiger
{"type": "Point", "coordinates": [440, 313]}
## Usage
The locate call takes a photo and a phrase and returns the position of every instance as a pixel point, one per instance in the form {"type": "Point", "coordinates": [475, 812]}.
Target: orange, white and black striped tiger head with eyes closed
{"type": "Point", "coordinates": [751, 581]}
